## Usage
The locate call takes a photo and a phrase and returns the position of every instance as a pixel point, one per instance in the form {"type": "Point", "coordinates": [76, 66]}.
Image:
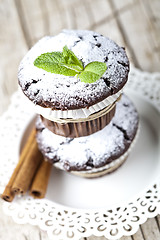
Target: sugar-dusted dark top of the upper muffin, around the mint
{"type": "Point", "coordinates": [64, 92]}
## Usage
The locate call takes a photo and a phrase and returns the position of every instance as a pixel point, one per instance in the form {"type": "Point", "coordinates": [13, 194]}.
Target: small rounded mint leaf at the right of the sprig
{"type": "Point", "coordinates": [92, 72]}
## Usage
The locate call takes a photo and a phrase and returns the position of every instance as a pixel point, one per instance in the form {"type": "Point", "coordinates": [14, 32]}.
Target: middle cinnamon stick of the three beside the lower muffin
{"type": "Point", "coordinates": [27, 171]}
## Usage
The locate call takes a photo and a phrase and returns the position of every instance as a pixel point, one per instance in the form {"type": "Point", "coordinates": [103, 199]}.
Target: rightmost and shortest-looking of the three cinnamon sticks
{"type": "Point", "coordinates": [40, 181]}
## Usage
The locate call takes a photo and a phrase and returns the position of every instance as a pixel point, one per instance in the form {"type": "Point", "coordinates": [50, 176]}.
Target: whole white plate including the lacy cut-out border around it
{"type": "Point", "coordinates": [113, 205]}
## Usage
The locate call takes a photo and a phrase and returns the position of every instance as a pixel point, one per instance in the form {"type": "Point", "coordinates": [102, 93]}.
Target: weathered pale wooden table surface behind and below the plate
{"type": "Point", "coordinates": [134, 24]}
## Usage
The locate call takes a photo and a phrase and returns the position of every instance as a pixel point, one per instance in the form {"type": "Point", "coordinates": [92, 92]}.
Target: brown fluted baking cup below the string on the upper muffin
{"type": "Point", "coordinates": [81, 128]}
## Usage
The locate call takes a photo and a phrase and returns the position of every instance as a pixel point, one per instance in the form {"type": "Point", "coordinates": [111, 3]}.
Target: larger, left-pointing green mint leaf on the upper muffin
{"type": "Point", "coordinates": [55, 62]}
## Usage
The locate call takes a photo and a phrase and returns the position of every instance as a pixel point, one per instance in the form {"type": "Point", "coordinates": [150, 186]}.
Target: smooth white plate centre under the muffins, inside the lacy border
{"type": "Point", "coordinates": [134, 176]}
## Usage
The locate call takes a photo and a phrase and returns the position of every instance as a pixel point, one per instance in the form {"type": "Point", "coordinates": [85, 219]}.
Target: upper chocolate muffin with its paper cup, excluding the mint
{"type": "Point", "coordinates": [66, 103]}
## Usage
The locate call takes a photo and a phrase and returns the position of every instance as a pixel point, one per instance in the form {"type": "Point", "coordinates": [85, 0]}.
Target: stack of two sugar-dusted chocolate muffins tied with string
{"type": "Point", "coordinates": [84, 126]}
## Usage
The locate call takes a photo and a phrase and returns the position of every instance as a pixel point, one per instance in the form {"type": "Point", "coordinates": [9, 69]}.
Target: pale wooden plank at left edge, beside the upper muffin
{"type": "Point", "coordinates": [12, 49]}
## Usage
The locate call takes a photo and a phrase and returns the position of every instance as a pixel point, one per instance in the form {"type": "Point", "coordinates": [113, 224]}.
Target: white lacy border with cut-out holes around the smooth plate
{"type": "Point", "coordinates": [62, 222]}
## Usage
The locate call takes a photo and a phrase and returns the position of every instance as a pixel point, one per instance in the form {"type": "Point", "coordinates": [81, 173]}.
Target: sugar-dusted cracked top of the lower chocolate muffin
{"type": "Point", "coordinates": [80, 153]}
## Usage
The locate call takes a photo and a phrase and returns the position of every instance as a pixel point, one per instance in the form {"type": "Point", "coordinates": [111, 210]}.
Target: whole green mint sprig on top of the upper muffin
{"type": "Point", "coordinates": [66, 63]}
